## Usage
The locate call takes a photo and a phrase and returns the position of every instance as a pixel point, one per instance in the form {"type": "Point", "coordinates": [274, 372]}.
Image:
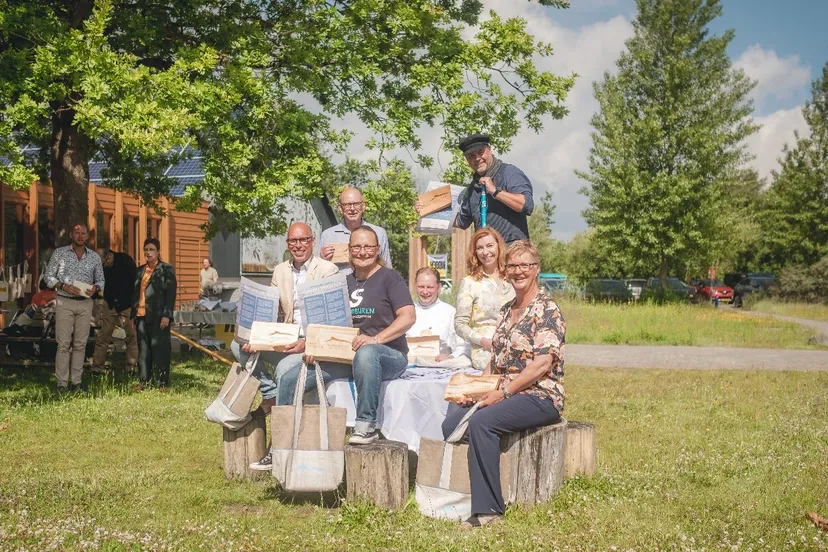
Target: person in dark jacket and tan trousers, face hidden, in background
{"type": "Point", "coordinates": [119, 271]}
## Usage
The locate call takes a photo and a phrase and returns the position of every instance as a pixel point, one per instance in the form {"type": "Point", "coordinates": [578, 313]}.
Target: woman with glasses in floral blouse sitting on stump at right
{"type": "Point", "coordinates": [528, 347]}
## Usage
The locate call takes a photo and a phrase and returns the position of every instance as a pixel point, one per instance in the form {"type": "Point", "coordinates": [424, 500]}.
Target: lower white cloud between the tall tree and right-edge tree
{"type": "Point", "coordinates": [777, 130]}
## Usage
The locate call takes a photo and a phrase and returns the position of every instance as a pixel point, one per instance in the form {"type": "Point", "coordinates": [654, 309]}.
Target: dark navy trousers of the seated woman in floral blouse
{"type": "Point", "coordinates": [511, 415]}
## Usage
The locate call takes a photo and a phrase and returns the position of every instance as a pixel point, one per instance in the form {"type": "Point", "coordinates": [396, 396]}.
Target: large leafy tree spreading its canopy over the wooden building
{"type": "Point", "coordinates": [254, 85]}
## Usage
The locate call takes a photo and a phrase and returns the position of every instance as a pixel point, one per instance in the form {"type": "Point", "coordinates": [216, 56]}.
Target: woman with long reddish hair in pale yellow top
{"type": "Point", "coordinates": [481, 295]}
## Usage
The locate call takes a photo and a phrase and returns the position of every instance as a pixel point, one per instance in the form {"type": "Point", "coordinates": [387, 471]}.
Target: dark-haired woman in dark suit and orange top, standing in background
{"type": "Point", "coordinates": [152, 312]}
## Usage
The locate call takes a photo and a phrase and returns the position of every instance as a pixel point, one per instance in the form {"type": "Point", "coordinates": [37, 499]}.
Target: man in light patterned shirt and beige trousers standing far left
{"type": "Point", "coordinates": [69, 267]}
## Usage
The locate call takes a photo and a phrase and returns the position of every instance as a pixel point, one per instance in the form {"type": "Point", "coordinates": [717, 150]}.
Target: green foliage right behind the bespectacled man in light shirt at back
{"type": "Point", "coordinates": [389, 200]}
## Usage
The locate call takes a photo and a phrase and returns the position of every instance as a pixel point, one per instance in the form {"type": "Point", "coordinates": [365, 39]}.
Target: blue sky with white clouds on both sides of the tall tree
{"type": "Point", "coordinates": [781, 45]}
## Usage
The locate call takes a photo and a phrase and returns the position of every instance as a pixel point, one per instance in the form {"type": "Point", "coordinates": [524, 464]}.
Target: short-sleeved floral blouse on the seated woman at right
{"type": "Point", "coordinates": [539, 331]}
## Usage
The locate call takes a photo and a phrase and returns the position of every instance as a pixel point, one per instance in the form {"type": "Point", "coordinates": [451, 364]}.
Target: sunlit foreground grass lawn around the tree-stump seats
{"type": "Point", "coordinates": [688, 460]}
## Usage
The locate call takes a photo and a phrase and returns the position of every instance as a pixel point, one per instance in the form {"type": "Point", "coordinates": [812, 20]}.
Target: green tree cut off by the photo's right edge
{"type": "Point", "coordinates": [794, 219]}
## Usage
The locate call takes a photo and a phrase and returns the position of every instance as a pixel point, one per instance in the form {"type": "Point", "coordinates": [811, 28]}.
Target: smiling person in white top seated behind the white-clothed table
{"type": "Point", "coordinates": [434, 317]}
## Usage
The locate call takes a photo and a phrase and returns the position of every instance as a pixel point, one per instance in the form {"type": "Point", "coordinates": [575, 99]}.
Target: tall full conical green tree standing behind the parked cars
{"type": "Point", "coordinates": [669, 133]}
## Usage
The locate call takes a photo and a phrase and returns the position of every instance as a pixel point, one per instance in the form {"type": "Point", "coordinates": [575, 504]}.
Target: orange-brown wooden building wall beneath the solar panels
{"type": "Point", "coordinates": [116, 220]}
